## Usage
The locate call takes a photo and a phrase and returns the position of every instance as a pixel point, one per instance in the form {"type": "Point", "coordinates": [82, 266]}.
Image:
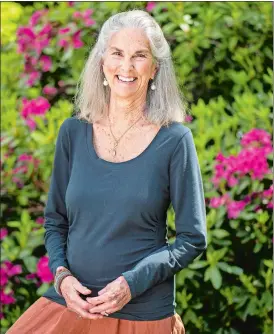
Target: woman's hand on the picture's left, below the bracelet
{"type": "Point", "coordinates": [70, 288]}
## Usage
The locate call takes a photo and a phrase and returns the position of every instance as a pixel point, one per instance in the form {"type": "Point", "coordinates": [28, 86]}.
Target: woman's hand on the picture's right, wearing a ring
{"type": "Point", "coordinates": [112, 298]}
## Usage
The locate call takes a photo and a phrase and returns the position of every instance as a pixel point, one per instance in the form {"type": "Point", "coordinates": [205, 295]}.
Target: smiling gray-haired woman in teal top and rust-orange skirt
{"type": "Point", "coordinates": [119, 164]}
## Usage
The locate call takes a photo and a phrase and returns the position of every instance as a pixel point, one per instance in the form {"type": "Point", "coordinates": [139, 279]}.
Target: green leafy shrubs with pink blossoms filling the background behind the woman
{"type": "Point", "coordinates": [222, 52]}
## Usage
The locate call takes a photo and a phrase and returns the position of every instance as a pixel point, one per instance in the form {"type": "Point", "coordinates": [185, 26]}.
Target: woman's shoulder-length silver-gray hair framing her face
{"type": "Point", "coordinates": [164, 105]}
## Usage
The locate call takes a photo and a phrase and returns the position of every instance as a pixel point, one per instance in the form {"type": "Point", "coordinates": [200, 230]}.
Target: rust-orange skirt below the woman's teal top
{"type": "Point", "coordinates": [48, 317]}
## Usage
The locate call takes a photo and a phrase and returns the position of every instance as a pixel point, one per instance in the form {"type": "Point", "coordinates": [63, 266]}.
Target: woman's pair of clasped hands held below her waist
{"type": "Point", "coordinates": [110, 299]}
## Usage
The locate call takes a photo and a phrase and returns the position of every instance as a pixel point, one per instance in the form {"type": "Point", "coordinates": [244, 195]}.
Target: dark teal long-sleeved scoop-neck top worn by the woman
{"type": "Point", "coordinates": [106, 219]}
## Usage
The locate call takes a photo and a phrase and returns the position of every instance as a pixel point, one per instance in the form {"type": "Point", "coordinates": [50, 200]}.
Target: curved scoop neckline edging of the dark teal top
{"type": "Point", "coordinates": [93, 153]}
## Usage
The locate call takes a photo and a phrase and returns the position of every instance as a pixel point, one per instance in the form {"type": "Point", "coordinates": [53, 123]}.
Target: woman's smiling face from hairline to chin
{"type": "Point", "coordinates": [128, 56]}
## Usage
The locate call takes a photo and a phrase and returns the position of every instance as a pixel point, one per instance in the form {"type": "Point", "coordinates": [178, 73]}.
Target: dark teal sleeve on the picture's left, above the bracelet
{"type": "Point", "coordinates": [56, 222]}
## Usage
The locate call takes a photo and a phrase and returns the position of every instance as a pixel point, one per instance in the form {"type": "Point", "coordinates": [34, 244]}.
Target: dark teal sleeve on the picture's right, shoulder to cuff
{"type": "Point", "coordinates": [187, 198]}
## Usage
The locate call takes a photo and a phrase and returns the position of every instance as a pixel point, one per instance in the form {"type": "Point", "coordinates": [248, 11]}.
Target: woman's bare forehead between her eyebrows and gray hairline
{"type": "Point", "coordinates": [129, 38]}
